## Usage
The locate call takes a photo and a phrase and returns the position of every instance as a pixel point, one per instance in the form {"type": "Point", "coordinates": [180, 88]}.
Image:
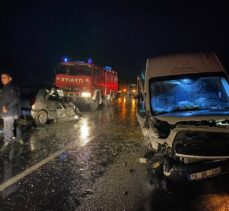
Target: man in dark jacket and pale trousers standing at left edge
{"type": "Point", "coordinates": [9, 105]}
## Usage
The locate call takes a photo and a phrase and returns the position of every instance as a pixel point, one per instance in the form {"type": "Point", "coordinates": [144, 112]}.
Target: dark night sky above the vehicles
{"type": "Point", "coordinates": [35, 35]}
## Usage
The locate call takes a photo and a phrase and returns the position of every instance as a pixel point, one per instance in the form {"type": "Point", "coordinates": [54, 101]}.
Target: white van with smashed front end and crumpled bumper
{"type": "Point", "coordinates": [183, 110]}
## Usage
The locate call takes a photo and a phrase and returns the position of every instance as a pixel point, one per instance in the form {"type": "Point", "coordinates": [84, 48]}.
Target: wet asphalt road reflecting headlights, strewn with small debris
{"type": "Point", "coordinates": [92, 164]}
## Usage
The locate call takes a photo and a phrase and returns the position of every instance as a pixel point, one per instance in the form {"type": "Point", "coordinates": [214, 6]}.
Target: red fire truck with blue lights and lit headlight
{"type": "Point", "coordinates": [87, 84]}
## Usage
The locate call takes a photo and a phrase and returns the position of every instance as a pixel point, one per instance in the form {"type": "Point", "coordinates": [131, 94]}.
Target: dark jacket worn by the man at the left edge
{"type": "Point", "coordinates": [10, 98]}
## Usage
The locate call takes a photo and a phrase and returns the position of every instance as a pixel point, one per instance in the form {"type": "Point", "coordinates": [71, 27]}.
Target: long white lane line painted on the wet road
{"type": "Point", "coordinates": [29, 170]}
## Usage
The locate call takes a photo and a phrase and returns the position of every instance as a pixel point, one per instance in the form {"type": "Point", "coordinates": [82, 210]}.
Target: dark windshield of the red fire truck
{"type": "Point", "coordinates": [73, 70]}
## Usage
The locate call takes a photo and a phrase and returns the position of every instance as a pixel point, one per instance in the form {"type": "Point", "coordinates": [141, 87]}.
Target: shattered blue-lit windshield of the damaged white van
{"type": "Point", "coordinates": [193, 93]}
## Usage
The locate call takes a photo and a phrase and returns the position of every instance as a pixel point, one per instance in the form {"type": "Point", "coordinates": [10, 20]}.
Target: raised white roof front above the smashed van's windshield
{"type": "Point", "coordinates": [180, 64]}
